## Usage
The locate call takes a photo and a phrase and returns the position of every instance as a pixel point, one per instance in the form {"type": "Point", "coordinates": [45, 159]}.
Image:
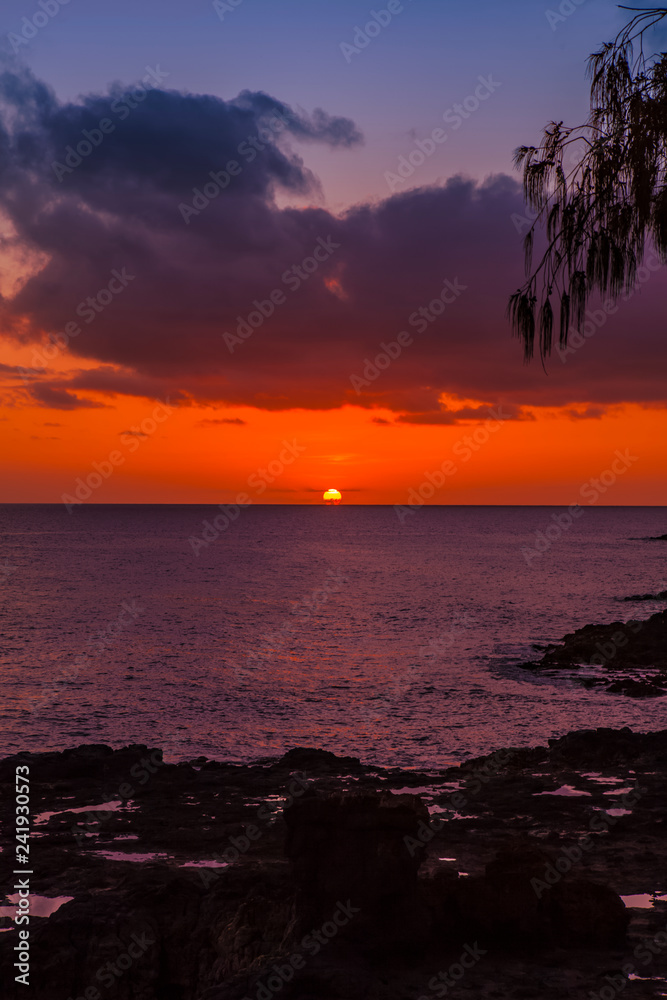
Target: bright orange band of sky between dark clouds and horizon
{"type": "Point", "coordinates": [182, 459]}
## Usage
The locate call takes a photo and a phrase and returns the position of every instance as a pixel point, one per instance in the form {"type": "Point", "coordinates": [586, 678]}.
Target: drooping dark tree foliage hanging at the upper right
{"type": "Point", "coordinates": [599, 189]}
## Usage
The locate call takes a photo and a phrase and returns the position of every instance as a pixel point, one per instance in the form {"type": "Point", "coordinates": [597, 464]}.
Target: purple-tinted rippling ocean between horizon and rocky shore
{"type": "Point", "coordinates": [331, 627]}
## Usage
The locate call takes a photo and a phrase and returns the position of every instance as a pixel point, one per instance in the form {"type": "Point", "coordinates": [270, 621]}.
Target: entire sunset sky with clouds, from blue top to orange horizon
{"type": "Point", "coordinates": [367, 323]}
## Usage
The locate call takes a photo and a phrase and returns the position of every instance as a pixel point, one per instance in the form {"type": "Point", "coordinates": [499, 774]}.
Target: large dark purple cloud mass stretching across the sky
{"type": "Point", "coordinates": [347, 283]}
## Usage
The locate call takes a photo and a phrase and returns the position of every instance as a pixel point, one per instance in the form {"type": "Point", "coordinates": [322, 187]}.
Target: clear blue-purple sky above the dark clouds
{"type": "Point", "coordinates": [427, 59]}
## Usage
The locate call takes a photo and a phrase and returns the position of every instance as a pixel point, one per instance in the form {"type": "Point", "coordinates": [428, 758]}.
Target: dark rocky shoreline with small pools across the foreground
{"type": "Point", "coordinates": [314, 876]}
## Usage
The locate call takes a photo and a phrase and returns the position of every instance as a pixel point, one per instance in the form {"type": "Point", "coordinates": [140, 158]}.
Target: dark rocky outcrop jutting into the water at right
{"type": "Point", "coordinates": [630, 657]}
